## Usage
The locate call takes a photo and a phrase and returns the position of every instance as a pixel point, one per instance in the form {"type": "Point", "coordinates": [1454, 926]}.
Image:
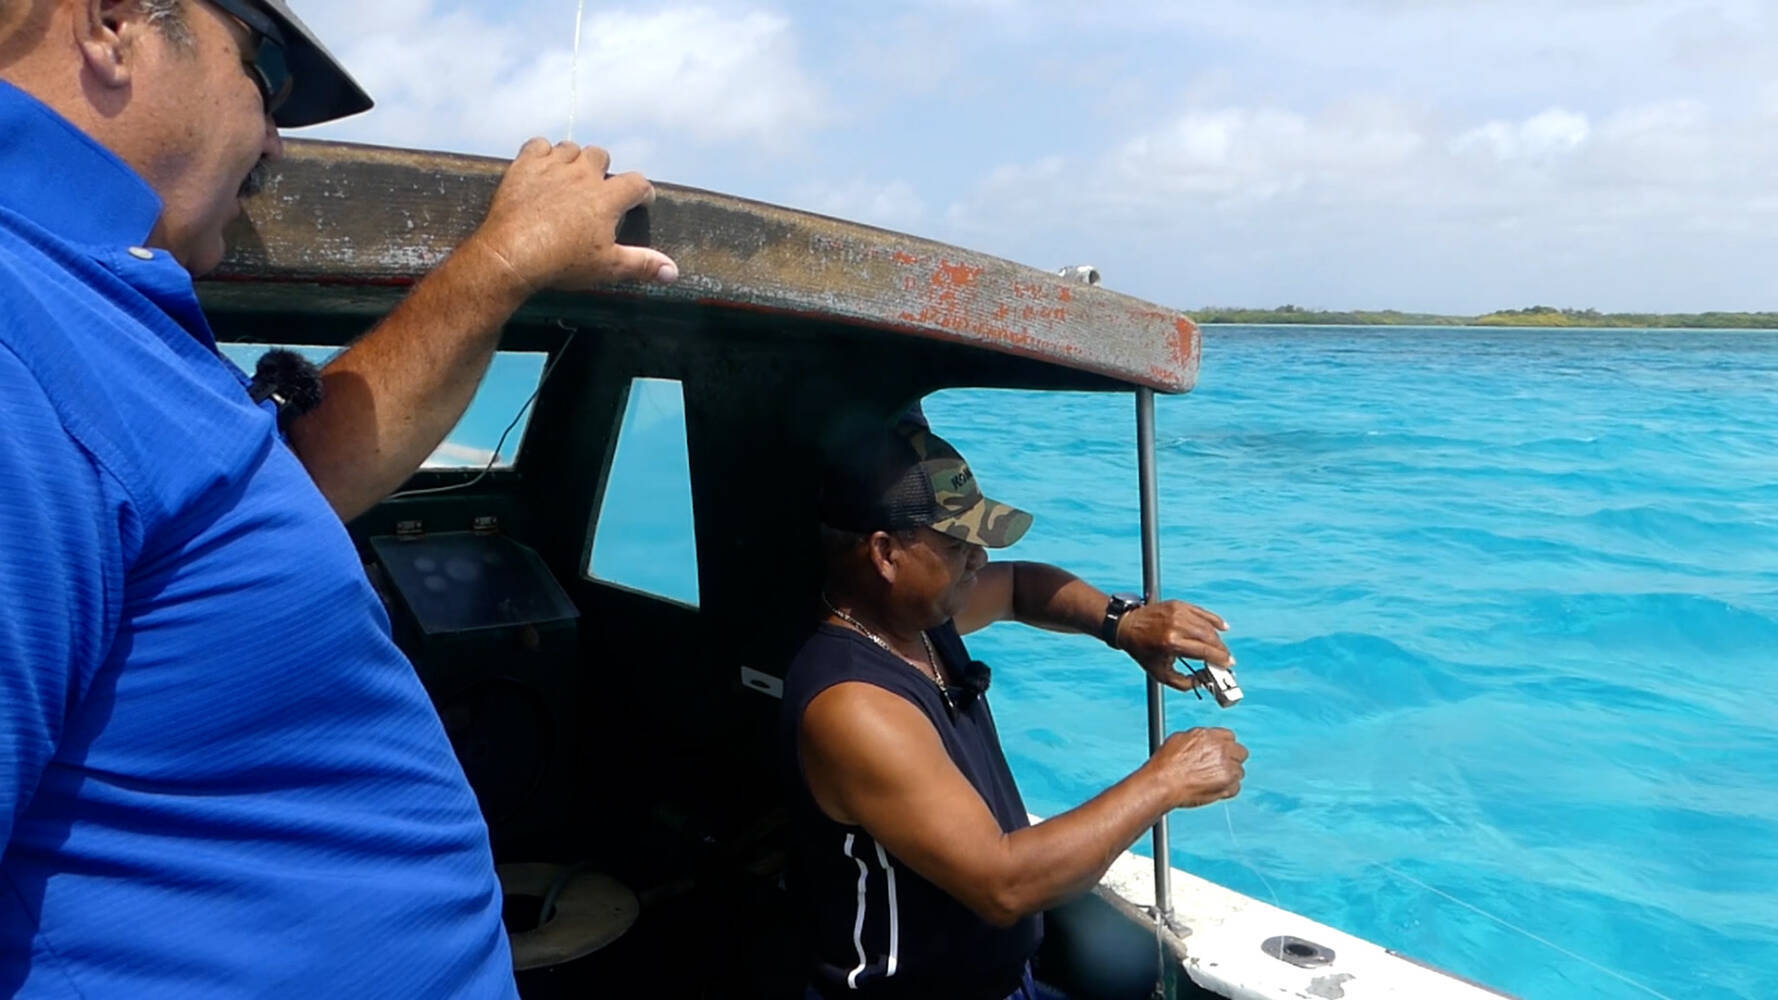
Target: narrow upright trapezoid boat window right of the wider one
{"type": "Point", "coordinates": [645, 533]}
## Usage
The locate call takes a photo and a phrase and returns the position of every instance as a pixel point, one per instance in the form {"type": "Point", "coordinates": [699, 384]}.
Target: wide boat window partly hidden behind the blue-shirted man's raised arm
{"type": "Point", "coordinates": [499, 403]}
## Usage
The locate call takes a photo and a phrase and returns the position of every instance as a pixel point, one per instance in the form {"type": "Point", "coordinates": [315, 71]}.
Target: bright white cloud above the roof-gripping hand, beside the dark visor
{"type": "Point", "coordinates": [483, 83]}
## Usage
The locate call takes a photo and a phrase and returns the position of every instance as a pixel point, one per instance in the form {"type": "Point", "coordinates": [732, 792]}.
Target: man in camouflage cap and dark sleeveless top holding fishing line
{"type": "Point", "coordinates": [915, 864]}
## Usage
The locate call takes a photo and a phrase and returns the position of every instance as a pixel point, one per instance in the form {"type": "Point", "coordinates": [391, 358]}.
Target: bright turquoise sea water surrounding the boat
{"type": "Point", "coordinates": [1507, 611]}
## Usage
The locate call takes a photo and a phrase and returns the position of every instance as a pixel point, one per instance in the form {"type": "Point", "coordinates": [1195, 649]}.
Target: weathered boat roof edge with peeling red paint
{"type": "Point", "coordinates": [346, 229]}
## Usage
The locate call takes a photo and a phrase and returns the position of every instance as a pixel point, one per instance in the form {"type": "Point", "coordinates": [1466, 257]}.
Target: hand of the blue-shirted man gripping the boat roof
{"type": "Point", "coordinates": [554, 222]}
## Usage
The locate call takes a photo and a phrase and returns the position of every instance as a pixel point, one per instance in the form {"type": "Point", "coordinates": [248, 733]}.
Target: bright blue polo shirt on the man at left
{"type": "Point", "coordinates": [218, 775]}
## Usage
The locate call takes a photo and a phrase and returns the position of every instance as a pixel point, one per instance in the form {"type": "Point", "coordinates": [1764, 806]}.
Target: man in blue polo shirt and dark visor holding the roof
{"type": "Point", "coordinates": [218, 775]}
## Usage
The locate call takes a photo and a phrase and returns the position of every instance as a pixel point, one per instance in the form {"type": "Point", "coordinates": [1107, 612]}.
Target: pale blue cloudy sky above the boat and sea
{"type": "Point", "coordinates": [1427, 156]}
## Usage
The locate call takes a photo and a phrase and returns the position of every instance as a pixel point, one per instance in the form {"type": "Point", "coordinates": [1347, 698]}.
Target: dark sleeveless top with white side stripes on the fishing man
{"type": "Point", "coordinates": [874, 926]}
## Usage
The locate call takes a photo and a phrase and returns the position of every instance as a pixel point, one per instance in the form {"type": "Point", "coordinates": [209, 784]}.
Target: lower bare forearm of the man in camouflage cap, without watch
{"type": "Point", "coordinates": [1068, 855]}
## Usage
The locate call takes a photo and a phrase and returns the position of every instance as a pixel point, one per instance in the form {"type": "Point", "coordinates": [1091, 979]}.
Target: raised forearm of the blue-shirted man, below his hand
{"type": "Point", "coordinates": [394, 396]}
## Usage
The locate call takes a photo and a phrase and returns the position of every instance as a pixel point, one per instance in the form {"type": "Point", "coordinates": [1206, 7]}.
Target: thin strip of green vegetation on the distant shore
{"type": "Point", "coordinates": [1534, 318]}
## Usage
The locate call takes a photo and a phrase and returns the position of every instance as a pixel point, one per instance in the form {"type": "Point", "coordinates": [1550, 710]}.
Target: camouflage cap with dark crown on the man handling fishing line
{"type": "Point", "coordinates": [902, 478]}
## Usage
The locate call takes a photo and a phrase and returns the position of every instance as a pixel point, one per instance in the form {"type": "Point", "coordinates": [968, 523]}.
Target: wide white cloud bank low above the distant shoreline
{"type": "Point", "coordinates": [1391, 206]}
